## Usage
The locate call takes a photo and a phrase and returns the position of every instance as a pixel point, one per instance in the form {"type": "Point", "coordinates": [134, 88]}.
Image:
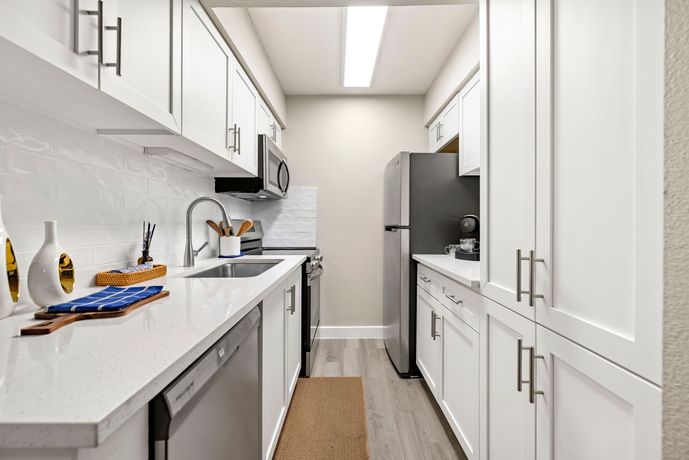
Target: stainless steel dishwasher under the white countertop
{"type": "Point", "coordinates": [212, 410]}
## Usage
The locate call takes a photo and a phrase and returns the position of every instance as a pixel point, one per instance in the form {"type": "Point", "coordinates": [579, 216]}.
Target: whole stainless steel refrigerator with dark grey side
{"type": "Point", "coordinates": [424, 199]}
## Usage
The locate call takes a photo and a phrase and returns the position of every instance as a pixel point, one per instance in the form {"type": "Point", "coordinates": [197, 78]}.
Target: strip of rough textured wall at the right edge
{"type": "Point", "coordinates": [676, 248]}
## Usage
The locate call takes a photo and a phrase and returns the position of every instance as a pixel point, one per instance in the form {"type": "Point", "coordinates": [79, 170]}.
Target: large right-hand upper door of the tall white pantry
{"type": "Point", "coordinates": [600, 177]}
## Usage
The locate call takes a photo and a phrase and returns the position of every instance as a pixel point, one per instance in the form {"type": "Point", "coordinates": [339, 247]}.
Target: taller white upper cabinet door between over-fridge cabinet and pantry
{"type": "Point", "coordinates": [470, 128]}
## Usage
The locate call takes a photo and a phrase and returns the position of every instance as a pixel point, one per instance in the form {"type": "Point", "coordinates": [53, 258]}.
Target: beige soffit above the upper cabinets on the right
{"type": "Point", "coordinates": [461, 64]}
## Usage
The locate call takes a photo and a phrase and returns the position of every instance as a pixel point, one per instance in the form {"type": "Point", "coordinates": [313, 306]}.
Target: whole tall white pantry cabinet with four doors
{"type": "Point", "coordinates": [573, 239]}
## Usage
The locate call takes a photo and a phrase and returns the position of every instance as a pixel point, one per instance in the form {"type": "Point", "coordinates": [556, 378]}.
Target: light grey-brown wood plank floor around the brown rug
{"type": "Point", "coordinates": [404, 421]}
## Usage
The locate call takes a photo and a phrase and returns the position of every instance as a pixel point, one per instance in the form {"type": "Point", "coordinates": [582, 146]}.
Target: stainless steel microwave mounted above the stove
{"type": "Point", "coordinates": [272, 180]}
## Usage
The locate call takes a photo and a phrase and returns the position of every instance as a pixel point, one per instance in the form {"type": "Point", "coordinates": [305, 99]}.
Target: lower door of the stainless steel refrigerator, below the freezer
{"type": "Point", "coordinates": [396, 296]}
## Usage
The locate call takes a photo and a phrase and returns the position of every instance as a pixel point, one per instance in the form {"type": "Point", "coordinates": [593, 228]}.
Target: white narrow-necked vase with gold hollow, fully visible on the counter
{"type": "Point", "coordinates": [51, 273]}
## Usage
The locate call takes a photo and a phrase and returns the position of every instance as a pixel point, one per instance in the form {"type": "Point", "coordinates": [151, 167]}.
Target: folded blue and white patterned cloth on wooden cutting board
{"type": "Point", "coordinates": [109, 299]}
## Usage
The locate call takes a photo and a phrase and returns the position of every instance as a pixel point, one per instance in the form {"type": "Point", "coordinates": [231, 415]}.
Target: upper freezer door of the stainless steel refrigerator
{"type": "Point", "coordinates": [396, 193]}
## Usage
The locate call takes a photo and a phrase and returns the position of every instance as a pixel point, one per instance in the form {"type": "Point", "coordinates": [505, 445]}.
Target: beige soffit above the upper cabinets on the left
{"type": "Point", "coordinates": [248, 48]}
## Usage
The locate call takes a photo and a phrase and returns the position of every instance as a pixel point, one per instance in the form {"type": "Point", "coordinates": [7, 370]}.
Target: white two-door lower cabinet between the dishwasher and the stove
{"type": "Point", "coordinates": [280, 358]}
